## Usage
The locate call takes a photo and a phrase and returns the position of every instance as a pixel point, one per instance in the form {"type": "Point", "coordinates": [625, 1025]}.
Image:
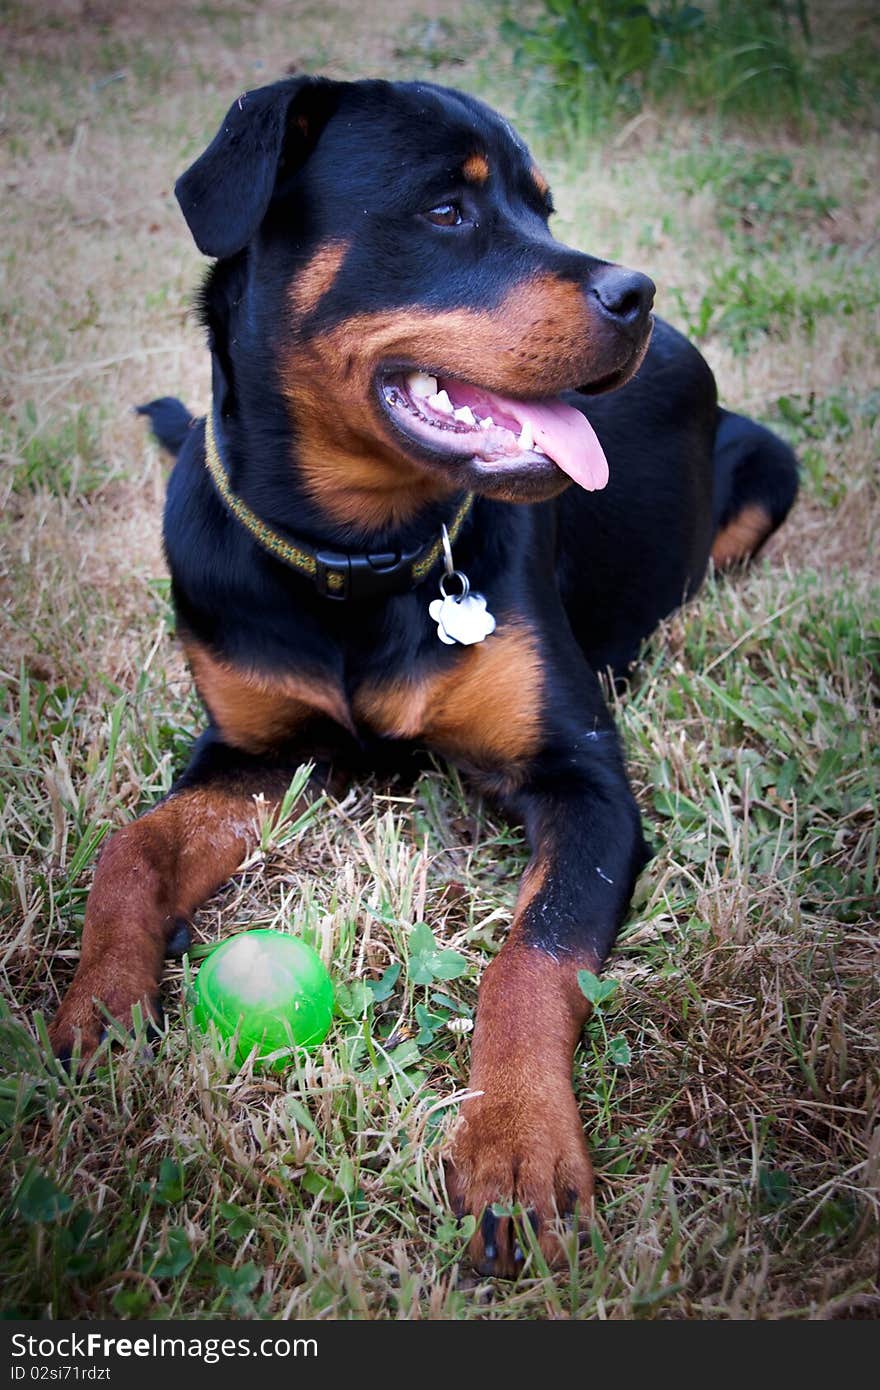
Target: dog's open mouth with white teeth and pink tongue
{"type": "Point", "coordinates": [455, 420]}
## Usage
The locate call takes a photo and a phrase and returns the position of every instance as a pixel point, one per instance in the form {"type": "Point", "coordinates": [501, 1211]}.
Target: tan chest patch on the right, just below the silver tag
{"type": "Point", "coordinates": [486, 707]}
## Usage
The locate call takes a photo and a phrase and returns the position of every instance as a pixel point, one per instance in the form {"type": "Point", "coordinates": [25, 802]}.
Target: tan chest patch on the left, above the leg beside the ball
{"type": "Point", "coordinates": [258, 712]}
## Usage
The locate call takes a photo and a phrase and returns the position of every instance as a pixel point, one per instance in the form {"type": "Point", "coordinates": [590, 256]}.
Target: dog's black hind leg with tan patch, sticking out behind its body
{"type": "Point", "coordinates": [756, 484]}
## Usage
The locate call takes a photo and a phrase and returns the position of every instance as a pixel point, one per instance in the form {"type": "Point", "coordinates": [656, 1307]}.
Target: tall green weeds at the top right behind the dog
{"type": "Point", "coordinates": [593, 63]}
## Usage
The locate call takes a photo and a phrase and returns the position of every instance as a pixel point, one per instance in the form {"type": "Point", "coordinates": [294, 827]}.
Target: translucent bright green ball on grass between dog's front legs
{"type": "Point", "coordinates": [272, 988]}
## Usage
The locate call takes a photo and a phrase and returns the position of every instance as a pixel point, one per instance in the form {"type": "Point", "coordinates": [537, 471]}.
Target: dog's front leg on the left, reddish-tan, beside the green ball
{"type": "Point", "coordinates": [152, 876]}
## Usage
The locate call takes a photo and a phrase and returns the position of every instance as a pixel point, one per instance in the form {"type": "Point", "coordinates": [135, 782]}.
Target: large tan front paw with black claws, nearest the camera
{"type": "Point", "coordinates": [523, 1152]}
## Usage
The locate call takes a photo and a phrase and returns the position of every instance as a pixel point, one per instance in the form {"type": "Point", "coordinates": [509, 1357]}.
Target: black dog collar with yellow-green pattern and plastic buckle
{"type": "Point", "coordinates": [337, 575]}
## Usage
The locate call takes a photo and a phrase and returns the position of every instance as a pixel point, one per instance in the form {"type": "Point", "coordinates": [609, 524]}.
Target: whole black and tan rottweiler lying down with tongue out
{"type": "Point", "coordinates": [453, 471]}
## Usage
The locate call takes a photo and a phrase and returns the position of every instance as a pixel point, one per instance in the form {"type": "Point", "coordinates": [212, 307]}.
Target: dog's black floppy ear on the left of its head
{"type": "Point", "coordinates": [226, 194]}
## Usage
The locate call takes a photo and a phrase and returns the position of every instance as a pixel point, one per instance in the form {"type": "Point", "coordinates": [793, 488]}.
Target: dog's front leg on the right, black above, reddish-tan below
{"type": "Point", "coordinates": [521, 1139]}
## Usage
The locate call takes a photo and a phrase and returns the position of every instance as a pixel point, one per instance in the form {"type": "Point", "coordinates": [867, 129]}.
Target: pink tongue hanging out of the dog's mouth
{"type": "Point", "coordinates": [562, 432]}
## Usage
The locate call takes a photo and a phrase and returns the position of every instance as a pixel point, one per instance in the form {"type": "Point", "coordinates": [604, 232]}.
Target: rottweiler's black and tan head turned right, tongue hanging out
{"type": "Point", "coordinates": [405, 295]}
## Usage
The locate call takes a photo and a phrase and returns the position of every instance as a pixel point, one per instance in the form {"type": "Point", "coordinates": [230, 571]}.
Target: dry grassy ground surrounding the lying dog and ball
{"type": "Point", "coordinates": [729, 1084]}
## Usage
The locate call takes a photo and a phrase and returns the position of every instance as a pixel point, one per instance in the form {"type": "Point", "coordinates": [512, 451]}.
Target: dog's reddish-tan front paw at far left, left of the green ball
{"type": "Point", "coordinates": [109, 988]}
